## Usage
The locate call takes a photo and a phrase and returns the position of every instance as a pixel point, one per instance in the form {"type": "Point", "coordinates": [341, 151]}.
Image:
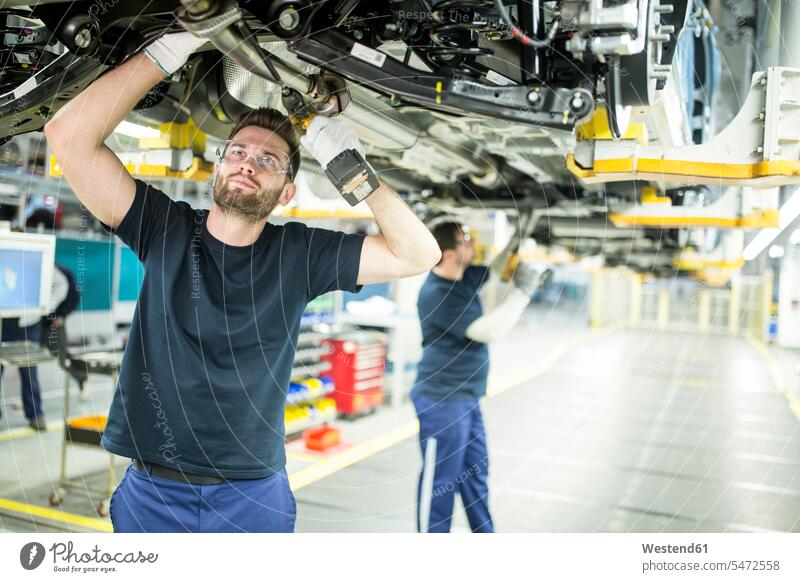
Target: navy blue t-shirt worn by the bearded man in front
{"type": "Point", "coordinates": [206, 368]}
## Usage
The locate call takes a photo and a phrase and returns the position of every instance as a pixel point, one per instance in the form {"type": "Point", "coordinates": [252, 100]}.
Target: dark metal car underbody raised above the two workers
{"type": "Point", "coordinates": [451, 106]}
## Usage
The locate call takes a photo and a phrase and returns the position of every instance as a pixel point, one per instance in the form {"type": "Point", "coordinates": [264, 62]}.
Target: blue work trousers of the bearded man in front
{"type": "Point", "coordinates": [143, 503]}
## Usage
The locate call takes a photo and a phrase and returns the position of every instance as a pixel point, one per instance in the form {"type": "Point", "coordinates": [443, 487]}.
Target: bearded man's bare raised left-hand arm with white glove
{"type": "Point", "coordinates": [77, 133]}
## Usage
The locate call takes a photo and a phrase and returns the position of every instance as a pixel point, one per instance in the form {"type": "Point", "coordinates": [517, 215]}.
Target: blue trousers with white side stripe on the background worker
{"type": "Point", "coordinates": [455, 460]}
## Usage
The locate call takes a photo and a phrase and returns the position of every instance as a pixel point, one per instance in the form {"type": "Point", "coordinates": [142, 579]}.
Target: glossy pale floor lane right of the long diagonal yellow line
{"type": "Point", "coordinates": [627, 432]}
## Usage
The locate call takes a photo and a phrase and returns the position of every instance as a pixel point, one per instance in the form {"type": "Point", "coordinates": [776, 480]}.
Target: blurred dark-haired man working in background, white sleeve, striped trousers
{"type": "Point", "coordinates": [451, 379]}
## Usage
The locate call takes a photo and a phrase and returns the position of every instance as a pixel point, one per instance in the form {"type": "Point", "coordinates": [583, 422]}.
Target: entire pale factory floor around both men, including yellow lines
{"type": "Point", "coordinates": [609, 430]}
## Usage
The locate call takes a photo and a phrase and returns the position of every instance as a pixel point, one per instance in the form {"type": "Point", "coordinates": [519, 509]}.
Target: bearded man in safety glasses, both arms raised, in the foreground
{"type": "Point", "coordinates": [200, 403]}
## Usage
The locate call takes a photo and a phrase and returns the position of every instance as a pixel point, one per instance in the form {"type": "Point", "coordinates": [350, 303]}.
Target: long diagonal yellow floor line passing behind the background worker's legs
{"type": "Point", "coordinates": [326, 467]}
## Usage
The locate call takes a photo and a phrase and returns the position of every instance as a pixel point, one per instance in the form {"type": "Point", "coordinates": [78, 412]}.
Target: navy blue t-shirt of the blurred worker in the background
{"type": "Point", "coordinates": [452, 365]}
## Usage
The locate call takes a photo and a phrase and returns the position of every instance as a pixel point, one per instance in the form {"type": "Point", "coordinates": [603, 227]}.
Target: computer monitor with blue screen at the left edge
{"type": "Point", "coordinates": [26, 273]}
